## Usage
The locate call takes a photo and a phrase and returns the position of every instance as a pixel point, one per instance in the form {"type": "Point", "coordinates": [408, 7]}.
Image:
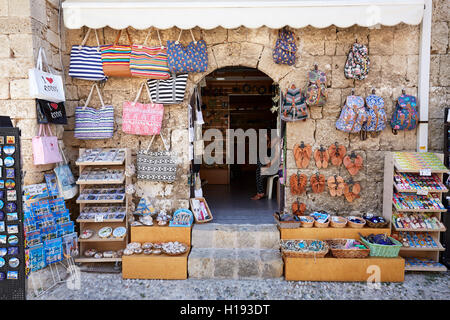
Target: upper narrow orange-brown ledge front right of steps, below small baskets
{"type": "Point", "coordinates": [330, 233]}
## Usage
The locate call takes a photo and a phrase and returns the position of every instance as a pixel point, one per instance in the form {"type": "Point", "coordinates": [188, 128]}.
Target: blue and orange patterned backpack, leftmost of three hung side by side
{"type": "Point", "coordinates": [353, 115]}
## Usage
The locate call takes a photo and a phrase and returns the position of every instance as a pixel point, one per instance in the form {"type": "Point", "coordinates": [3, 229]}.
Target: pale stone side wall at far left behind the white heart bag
{"type": "Point", "coordinates": [26, 25]}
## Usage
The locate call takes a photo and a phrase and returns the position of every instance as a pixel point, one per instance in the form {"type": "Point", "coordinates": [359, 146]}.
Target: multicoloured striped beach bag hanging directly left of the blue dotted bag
{"type": "Point", "coordinates": [149, 62]}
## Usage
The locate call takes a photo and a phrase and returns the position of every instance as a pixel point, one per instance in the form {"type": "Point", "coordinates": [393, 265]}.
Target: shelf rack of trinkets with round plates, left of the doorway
{"type": "Point", "coordinates": [104, 204]}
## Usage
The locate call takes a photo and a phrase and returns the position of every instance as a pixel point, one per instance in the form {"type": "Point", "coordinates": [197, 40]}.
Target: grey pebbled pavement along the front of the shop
{"type": "Point", "coordinates": [99, 286]}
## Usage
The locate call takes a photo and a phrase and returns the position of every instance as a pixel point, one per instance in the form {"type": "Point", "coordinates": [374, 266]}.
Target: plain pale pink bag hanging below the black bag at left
{"type": "Point", "coordinates": [45, 148]}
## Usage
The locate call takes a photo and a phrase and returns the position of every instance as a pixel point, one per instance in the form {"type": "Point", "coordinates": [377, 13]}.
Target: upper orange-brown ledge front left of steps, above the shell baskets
{"type": "Point", "coordinates": [157, 233]}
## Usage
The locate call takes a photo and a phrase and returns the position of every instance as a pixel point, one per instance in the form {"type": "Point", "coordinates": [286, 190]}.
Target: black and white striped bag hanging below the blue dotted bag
{"type": "Point", "coordinates": [170, 91]}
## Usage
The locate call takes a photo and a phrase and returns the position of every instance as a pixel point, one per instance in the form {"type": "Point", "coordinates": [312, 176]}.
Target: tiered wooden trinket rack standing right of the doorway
{"type": "Point", "coordinates": [412, 201]}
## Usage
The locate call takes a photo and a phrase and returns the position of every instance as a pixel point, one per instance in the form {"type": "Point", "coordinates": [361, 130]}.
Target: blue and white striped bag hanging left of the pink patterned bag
{"type": "Point", "coordinates": [91, 123]}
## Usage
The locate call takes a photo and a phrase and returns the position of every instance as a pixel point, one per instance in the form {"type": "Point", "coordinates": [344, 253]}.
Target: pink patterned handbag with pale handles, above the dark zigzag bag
{"type": "Point", "coordinates": [142, 119]}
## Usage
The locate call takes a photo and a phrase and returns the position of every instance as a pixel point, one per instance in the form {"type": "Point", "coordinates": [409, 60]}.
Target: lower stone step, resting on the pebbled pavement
{"type": "Point", "coordinates": [208, 263]}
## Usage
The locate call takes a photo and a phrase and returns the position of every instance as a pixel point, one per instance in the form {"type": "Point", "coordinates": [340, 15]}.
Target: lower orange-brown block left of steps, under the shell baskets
{"type": "Point", "coordinates": [155, 266]}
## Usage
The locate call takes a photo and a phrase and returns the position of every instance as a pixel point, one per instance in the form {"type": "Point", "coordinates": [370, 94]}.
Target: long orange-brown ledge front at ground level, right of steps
{"type": "Point", "coordinates": [332, 269]}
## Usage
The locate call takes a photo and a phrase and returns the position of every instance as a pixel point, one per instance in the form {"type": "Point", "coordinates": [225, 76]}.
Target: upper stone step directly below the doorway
{"type": "Point", "coordinates": [232, 236]}
